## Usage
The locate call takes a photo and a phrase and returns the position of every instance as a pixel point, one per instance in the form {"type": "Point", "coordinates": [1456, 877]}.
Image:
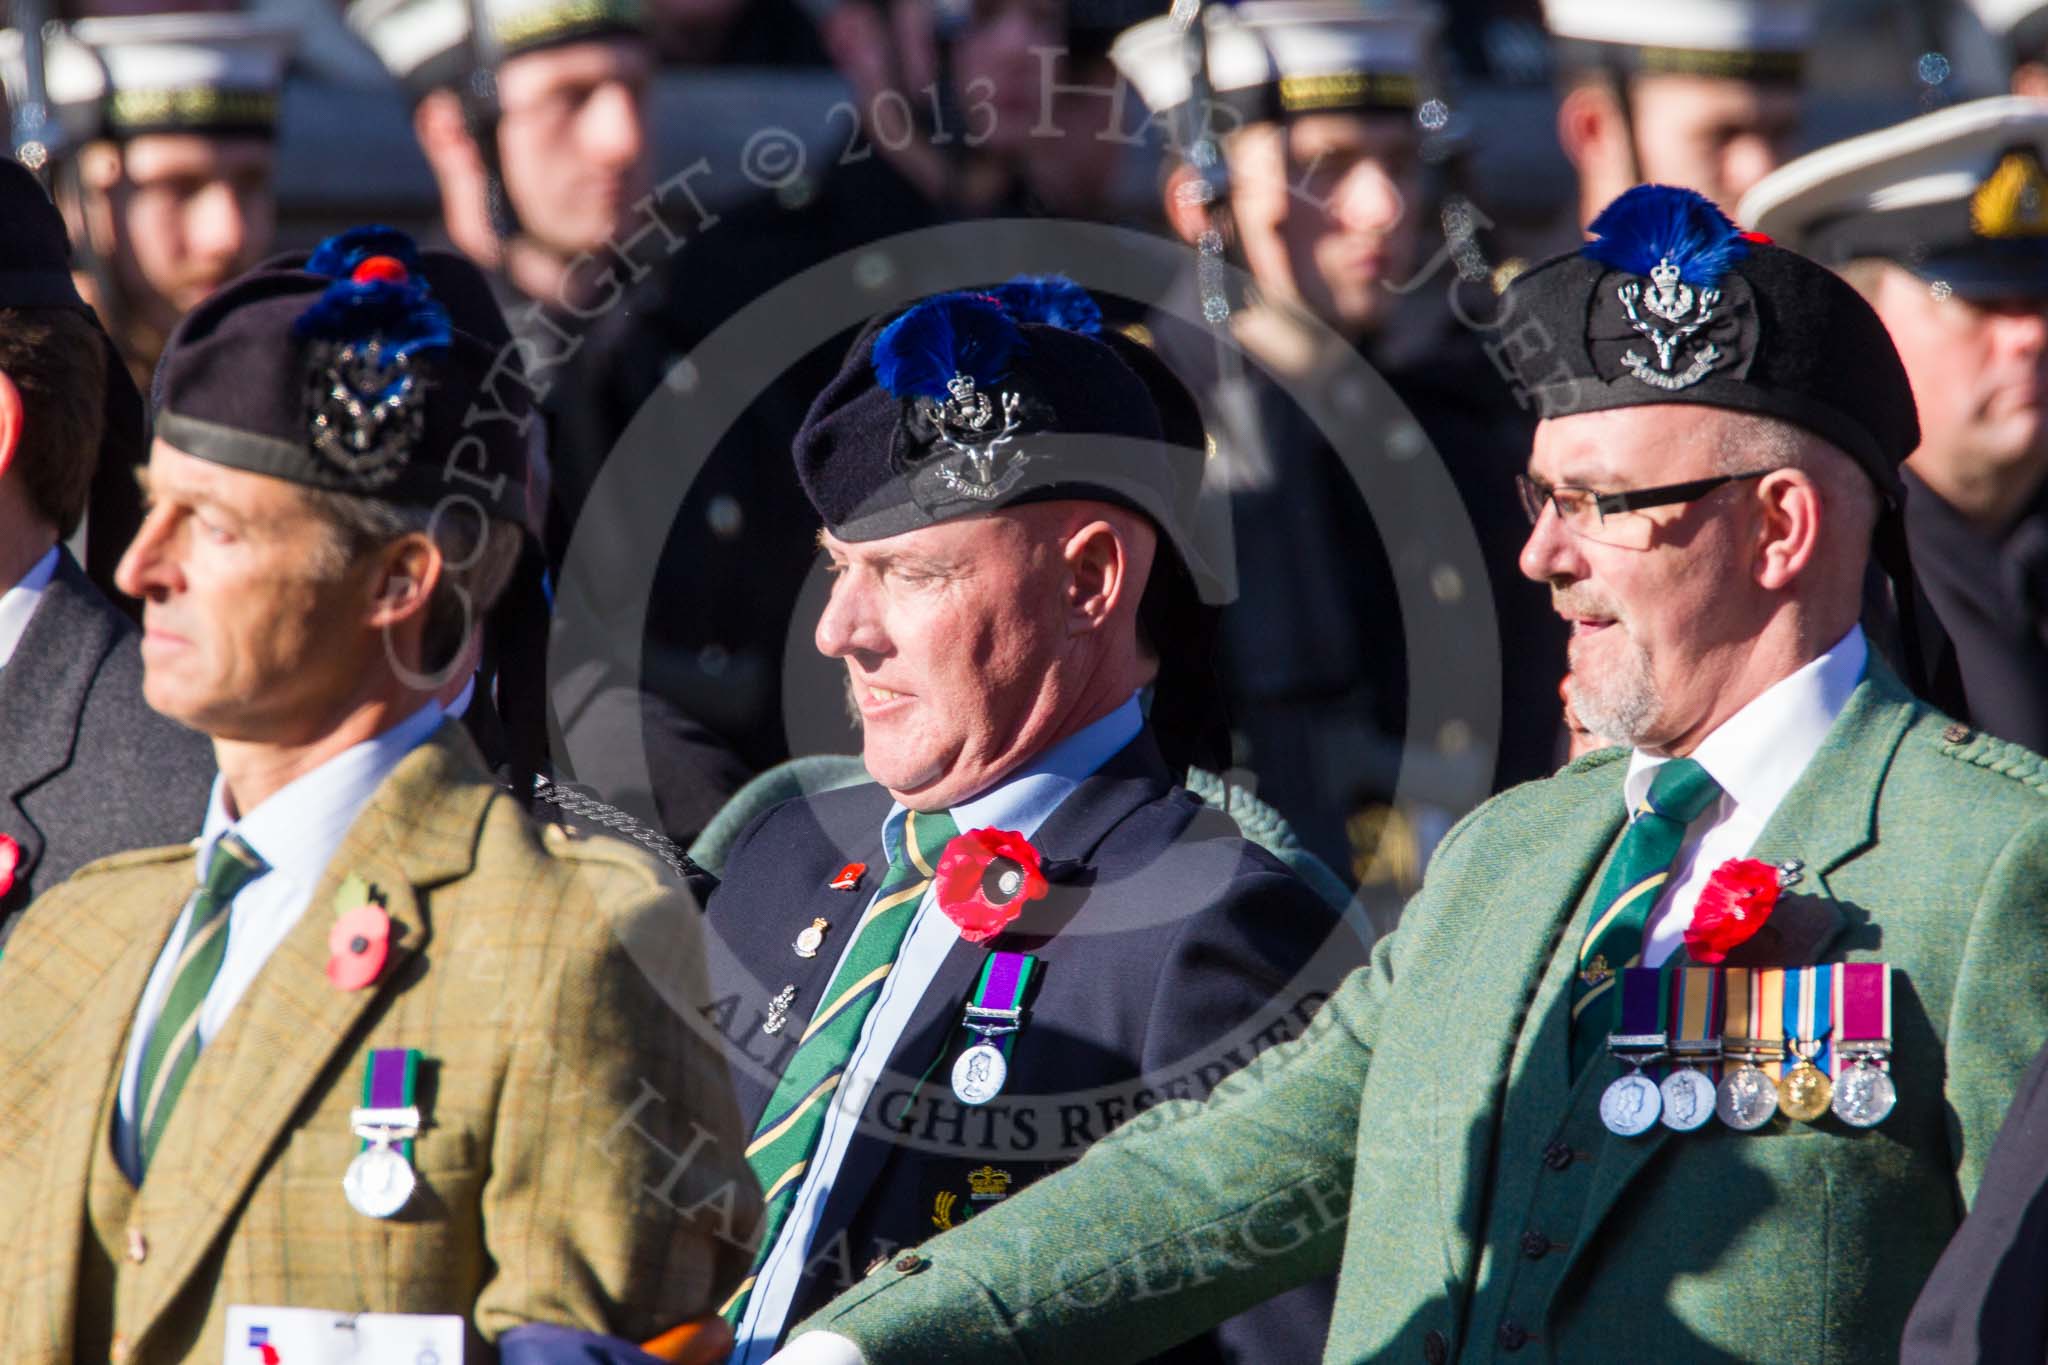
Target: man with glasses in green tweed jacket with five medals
{"type": "Point", "coordinates": [1465, 1135]}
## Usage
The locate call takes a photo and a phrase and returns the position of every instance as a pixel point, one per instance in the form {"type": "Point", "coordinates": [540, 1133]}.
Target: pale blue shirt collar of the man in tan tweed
{"type": "Point", "coordinates": [302, 824]}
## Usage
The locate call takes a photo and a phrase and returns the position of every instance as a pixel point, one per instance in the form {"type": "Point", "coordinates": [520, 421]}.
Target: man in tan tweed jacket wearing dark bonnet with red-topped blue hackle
{"type": "Point", "coordinates": [181, 1067]}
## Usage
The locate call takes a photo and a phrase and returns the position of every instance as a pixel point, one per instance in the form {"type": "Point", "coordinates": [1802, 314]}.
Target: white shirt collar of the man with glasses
{"type": "Point", "coordinates": [1760, 752]}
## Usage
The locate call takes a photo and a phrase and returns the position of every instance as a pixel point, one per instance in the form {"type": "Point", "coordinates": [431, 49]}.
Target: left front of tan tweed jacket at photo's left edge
{"type": "Point", "coordinates": [99, 961]}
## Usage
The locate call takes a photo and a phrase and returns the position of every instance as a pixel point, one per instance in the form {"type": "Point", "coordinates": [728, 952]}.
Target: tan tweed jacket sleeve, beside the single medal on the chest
{"type": "Point", "coordinates": [620, 1198]}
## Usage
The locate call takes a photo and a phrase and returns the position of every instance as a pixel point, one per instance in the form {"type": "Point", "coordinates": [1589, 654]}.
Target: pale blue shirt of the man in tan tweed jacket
{"type": "Point", "coordinates": [296, 834]}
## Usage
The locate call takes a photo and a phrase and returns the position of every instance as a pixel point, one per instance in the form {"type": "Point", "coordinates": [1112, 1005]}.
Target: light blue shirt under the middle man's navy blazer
{"type": "Point", "coordinates": [1021, 803]}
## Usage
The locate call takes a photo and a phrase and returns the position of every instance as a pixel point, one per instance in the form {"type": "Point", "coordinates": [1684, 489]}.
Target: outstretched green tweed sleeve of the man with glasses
{"type": "Point", "coordinates": [1185, 1217]}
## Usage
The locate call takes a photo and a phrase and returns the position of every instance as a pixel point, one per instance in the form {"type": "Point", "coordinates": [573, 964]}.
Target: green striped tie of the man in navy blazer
{"type": "Point", "coordinates": [796, 1114]}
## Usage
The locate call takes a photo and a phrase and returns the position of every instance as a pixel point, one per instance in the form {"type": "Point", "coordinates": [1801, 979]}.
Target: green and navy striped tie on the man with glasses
{"type": "Point", "coordinates": [1635, 879]}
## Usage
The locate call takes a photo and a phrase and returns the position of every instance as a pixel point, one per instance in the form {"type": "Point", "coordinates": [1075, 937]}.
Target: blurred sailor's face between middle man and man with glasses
{"type": "Point", "coordinates": [1326, 212]}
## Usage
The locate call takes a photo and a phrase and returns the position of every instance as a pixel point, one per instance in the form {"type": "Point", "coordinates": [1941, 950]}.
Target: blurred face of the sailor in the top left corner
{"type": "Point", "coordinates": [177, 216]}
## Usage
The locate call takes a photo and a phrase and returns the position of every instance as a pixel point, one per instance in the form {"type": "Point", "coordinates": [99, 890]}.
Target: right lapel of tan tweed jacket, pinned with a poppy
{"type": "Point", "coordinates": [280, 1045]}
